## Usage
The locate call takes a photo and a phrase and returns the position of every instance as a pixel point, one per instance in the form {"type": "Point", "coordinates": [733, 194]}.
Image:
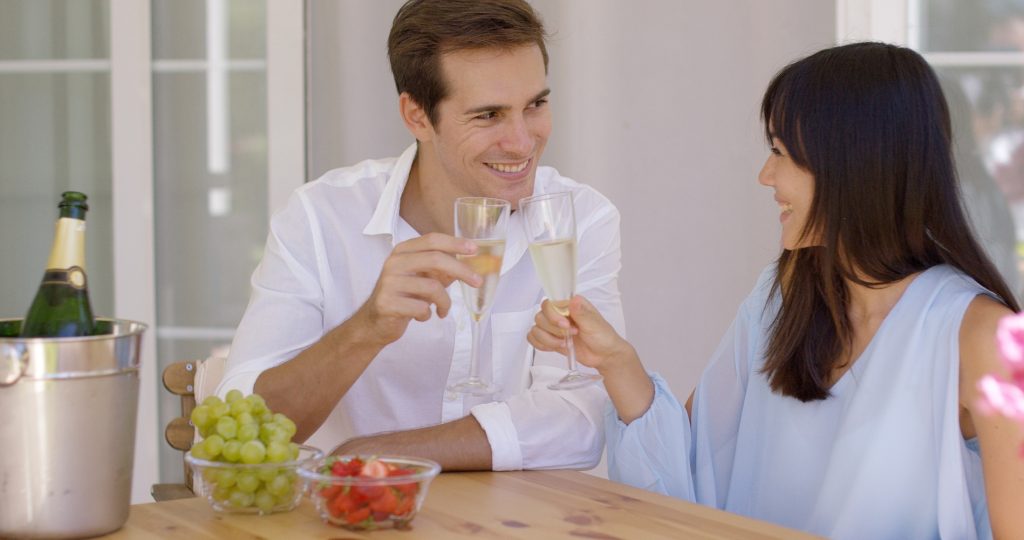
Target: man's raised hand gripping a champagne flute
{"type": "Point", "coordinates": [414, 278]}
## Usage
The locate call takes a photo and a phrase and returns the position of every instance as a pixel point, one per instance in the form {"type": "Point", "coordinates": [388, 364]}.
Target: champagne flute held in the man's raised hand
{"type": "Point", "coordinates": [484, 221]}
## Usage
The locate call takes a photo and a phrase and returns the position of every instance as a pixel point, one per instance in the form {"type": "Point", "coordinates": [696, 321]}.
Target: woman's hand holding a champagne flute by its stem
{"type": "Point", "coordinates": [598, 344]}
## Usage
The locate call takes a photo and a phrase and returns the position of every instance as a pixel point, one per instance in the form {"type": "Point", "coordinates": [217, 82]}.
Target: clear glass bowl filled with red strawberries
{"type": "Point", "coordinates": [369, 492]}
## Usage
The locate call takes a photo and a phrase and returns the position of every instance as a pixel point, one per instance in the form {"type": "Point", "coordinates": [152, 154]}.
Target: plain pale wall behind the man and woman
{"type": "Point", "coordinates": [656, 104]}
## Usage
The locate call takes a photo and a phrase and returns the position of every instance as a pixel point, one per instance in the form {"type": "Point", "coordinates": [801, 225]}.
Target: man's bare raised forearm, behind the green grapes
{"type": "Point", "coordinates": [308, 388]}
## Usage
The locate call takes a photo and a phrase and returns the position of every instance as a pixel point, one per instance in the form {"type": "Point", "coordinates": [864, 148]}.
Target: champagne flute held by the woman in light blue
{"type": "Point", "coordinates": [550, 224]}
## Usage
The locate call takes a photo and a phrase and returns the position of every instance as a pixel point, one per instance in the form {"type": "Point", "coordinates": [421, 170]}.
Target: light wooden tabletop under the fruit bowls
{"type": "Point", "coordinates": [529, 505]}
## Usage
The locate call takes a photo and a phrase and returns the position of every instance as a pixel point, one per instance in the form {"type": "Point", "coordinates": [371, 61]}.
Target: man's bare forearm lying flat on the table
{"type": "Point", "coordinates": [460, 445]}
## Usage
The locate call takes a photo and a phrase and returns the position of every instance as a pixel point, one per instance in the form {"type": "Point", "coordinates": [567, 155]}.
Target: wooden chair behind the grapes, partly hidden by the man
{"type": "Point", "coordinates": [193, 381]}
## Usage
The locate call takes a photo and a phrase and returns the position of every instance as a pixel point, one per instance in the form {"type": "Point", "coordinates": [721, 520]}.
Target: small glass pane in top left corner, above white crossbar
{"type": "Point", "coordinates": [54, 29]}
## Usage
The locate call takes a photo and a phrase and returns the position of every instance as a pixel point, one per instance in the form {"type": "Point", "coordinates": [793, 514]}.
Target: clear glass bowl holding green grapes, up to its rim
{"type": "Point", "coordinates": [262, 488]}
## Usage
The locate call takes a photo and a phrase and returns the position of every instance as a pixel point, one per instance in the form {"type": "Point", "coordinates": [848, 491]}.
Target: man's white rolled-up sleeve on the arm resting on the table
{"type": "Point", "coordinates": [541, 429]}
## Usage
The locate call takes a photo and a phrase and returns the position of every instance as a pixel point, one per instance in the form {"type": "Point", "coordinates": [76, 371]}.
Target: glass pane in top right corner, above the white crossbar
{"type": "Point", "coordinates": [972, 26]}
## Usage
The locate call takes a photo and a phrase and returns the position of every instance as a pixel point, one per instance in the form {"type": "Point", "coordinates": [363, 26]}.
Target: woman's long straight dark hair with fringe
{"type": "Point", "coordinates": [871, 124]}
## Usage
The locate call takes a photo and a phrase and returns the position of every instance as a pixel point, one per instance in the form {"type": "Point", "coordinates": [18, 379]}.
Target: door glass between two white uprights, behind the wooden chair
{"type": "Point", "coordinates": [211, 187]}
